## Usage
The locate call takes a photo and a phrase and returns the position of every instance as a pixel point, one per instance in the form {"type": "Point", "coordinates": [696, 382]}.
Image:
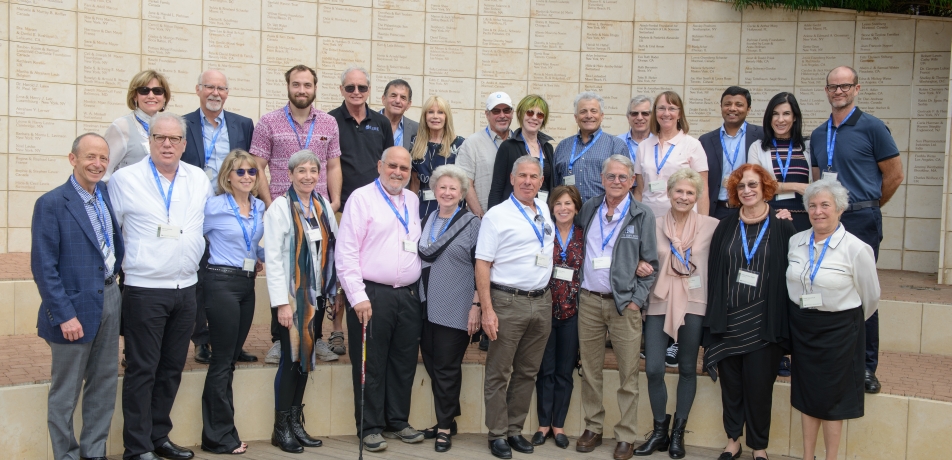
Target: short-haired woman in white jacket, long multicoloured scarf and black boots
{"type": "Point", "coordinates": [299, 239]}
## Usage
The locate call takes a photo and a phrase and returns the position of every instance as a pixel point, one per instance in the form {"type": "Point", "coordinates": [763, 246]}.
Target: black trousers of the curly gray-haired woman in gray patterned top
{"type": "Point", "coordinates": [443, 349]}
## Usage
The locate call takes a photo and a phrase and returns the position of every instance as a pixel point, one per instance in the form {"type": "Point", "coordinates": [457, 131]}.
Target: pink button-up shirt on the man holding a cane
{"type": "Point", "coordinates": [370, 242]}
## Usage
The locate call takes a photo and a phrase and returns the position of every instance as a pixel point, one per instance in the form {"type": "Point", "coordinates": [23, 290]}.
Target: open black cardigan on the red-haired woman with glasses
{"type": "Point", "coordinates": [775, 328]}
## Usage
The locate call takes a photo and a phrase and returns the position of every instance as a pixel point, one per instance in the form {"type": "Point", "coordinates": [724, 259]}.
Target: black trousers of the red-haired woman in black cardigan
{"type": "Point", "coordinates": [747, 392]}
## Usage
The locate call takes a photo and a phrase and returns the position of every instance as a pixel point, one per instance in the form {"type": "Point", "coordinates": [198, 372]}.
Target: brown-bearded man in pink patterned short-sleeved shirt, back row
{"type": "Point", "coordinates": [282, 133]}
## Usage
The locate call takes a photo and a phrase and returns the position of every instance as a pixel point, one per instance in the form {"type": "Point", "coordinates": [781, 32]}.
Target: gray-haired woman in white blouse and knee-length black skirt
{"type": "Point", "coordinates": [832, 282]}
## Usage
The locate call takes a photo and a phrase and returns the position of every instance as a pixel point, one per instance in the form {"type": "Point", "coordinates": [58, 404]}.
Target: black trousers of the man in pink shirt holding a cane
{"type": "Point", "coordinates": [393, 340]}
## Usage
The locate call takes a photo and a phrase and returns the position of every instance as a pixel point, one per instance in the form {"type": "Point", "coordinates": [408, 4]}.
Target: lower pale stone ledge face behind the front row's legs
{"type": "Point", "coordinates": [895, 427]}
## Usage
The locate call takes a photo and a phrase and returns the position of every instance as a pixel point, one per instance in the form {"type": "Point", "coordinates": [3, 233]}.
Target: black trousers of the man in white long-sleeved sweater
{"type": "Point", "coordinates": [158, 323]}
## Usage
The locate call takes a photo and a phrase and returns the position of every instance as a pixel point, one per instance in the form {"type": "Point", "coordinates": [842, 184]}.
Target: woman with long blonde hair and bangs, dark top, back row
{"type": "Point", "coordinates": [435, 144]}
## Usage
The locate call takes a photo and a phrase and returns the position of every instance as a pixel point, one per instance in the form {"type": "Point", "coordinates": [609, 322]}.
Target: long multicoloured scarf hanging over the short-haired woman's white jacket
{"type": "Point", "coordinates": [312, 279]}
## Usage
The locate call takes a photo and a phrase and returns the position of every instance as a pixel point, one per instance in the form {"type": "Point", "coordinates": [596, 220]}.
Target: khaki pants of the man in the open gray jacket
{"type": "Point", "coordinates": [595, 316]}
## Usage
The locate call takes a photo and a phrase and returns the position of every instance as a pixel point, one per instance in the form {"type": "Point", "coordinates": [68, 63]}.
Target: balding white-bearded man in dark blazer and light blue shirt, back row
{"type": "Point", "coordinates": [212, 133]}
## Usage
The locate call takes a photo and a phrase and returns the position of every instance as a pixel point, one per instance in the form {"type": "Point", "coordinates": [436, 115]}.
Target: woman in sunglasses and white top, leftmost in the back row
{"type": "Point", "coordinates": [128, 136]}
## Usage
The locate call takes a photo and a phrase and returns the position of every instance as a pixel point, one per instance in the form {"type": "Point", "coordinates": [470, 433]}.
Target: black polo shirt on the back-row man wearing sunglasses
{"type": "Point", "coordinates": [361, 146]}
